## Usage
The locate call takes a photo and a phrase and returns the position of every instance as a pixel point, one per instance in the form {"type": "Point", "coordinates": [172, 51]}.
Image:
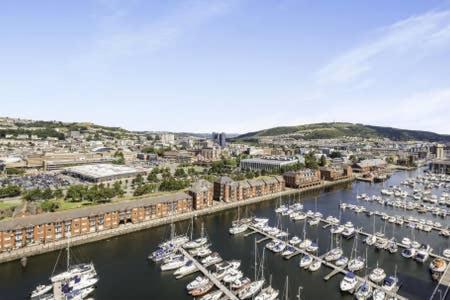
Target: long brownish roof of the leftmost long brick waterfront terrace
{"type": "Point", "coordinates": [44, 218]}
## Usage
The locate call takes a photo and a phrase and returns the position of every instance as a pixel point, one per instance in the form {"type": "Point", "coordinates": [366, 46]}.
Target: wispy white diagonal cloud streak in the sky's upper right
{"type": "Point", "coordinates": [420, 35]}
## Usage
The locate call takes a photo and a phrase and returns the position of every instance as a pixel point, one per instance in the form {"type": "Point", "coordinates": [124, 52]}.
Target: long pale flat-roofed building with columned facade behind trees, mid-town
{"type": "Point", "coordinates": [268, 163]}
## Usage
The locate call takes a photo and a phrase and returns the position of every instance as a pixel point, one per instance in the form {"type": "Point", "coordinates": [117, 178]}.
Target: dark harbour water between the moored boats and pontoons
{"type": "Point", "coordinates": [126, 273]}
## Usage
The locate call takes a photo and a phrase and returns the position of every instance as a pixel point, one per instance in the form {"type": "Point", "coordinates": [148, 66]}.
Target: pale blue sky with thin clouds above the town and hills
{"type": "Point", "coordinates": [233, 66]}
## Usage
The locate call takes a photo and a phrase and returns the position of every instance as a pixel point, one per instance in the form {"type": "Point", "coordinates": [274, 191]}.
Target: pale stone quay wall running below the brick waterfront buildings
{"type": "Point", "coordinates": [129, 228]}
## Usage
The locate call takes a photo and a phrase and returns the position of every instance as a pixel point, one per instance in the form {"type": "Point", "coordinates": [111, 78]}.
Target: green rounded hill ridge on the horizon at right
{"type": "Point", "coordinates": [341, 129]}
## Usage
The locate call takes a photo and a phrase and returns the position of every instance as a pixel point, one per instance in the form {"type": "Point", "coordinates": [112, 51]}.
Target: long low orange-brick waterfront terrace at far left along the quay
{"type": "Point", "coordinates": [48, 227]}
